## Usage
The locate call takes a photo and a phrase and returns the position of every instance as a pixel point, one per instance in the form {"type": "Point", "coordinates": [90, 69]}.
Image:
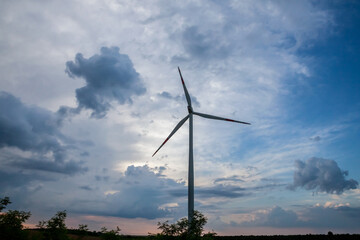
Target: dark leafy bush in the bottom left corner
{"type": "Point", "coordinates": [11, 222]}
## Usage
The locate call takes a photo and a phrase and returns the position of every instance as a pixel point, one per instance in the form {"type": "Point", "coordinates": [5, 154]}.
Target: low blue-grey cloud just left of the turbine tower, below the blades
{"type": "Point", "coordinates": [141, 192]}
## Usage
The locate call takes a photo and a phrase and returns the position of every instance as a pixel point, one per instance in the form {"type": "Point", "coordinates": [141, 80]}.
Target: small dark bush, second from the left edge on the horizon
{"type": "Point", "coordinates": [55, 228]}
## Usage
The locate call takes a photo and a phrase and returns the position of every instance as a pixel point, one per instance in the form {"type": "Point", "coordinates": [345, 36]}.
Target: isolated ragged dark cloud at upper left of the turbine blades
{"type": "Point", "coordinates": [110, 76]}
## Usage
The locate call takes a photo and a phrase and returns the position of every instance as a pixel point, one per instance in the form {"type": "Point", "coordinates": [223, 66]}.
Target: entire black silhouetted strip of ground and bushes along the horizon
{"type": "Point", "coordinates": [11, 228]}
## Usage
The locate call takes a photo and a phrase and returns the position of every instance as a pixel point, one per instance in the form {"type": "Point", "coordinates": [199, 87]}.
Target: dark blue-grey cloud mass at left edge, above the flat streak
{"type": "Point", "coordinates": [28, 128]}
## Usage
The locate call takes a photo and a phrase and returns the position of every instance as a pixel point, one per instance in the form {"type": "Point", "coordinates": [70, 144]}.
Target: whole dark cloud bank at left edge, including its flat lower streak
{"type": "Point", "coordinates": [32, 130]}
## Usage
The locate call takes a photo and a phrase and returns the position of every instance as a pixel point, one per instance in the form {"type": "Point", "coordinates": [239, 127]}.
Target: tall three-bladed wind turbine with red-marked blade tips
{"type": "Point", "coordinates": [191, 158]}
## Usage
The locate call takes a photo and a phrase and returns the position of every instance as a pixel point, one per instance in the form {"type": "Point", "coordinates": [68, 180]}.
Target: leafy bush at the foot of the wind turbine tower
{"type": "Point", "coordinates": [183, 230]}
